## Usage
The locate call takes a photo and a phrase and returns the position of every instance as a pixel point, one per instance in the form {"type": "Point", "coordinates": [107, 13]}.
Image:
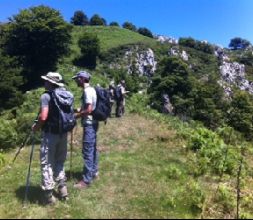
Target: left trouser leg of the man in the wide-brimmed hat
{"type": "Point", "coordinates": [47, 152]}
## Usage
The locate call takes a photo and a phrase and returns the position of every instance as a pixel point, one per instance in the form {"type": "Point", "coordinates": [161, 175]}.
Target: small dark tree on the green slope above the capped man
{"type": "Point", "coordinates": [90, 49]}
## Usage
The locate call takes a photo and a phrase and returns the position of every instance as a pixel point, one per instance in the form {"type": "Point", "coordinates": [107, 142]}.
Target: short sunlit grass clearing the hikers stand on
{"type": "Point", "coordinates": [132, 184]}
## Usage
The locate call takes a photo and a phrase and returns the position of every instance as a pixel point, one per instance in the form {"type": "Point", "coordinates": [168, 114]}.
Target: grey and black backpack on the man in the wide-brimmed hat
{"type": "Point", "coordinates": [64, 101]}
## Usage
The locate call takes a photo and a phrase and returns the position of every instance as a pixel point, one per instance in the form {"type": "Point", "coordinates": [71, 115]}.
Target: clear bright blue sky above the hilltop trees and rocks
{"type": "Point", "coordinates": [217, 21]}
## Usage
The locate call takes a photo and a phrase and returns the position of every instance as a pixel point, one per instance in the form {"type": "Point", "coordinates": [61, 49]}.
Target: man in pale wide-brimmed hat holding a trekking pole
{"type": "Point", "coordinates": [53, 150]}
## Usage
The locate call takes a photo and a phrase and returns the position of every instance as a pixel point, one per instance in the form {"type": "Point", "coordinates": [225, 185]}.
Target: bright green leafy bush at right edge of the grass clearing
{"type": "Point", "coordinates": [211, 153]}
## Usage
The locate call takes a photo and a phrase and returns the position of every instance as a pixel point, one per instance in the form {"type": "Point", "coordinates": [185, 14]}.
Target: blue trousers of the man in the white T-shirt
{"type": "Point", "coordinates": [88, 153]}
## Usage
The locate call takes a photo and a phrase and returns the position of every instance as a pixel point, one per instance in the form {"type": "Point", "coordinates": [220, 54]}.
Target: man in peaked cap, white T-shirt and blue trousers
{"type": "Point", "coordinates": [90, 128]}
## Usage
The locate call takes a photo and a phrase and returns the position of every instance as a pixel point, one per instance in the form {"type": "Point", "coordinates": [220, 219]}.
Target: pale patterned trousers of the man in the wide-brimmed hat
{"type": "Point", "coordinates": [53, 153]}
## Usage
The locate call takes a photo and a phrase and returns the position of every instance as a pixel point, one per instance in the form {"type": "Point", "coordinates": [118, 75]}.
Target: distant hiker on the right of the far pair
{"type": "Point", "coordinates": [120, 92]}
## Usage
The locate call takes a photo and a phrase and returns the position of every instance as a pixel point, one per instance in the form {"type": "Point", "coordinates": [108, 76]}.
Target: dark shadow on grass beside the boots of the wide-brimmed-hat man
{"type": "Point", "coordinates": [34, 196]}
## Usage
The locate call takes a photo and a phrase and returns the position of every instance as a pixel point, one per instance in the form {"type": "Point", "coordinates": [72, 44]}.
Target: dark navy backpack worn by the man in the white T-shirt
{"type": "Point", "coordinates": [103, 108]}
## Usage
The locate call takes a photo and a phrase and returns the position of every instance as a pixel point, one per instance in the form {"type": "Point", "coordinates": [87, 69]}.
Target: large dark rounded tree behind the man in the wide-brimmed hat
{"type": "Point", "coordinates": [38, 37]}
